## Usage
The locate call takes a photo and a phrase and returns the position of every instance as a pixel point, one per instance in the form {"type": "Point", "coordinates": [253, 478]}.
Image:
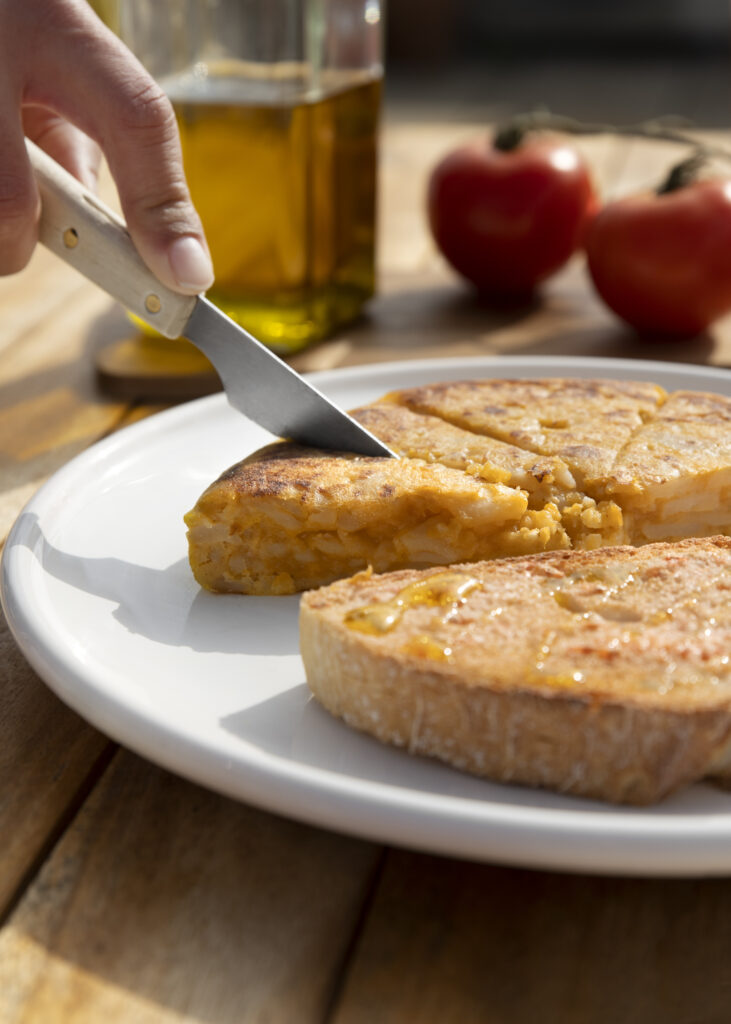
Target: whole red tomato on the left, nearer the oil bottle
{"type": "Point", "coordinates": [506, 220]}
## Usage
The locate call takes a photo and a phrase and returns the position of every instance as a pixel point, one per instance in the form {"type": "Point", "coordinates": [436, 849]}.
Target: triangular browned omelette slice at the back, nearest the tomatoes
{"type": "Point", "coordinates": [583, 422]}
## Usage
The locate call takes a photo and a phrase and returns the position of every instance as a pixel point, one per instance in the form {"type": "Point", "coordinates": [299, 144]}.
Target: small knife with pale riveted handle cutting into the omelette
{"type": "Point", "coordinates": [81, 230]}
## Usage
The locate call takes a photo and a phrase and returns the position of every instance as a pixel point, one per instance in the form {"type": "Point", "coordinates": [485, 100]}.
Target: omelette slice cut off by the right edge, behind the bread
{"type": "Point", "coordinates": [673, 478]}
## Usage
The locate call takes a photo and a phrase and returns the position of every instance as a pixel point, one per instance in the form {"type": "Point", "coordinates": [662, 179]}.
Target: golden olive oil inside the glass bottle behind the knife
{"type": "Point", "coordinates": [287, 194]}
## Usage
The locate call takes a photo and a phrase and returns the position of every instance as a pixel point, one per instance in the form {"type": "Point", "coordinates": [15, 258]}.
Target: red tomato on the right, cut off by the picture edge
{"type": "Point", "coordinates": [663, 263]}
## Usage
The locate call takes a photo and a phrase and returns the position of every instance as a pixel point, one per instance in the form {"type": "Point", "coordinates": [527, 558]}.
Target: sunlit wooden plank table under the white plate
{"type": "Point", "coordinates": [127, 894]}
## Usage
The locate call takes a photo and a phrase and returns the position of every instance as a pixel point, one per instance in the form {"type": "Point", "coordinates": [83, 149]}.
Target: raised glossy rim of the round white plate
{"type": "Point", "coordinates": [508, 822]}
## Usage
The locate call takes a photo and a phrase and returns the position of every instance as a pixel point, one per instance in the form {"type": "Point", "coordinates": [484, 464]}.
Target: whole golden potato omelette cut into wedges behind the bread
{"type": "Point", "coordinates": [652, 468]}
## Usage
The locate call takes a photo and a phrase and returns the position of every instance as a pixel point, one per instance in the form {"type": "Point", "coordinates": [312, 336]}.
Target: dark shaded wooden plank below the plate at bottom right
{"type": "Point", "coordinates": [449, 943]}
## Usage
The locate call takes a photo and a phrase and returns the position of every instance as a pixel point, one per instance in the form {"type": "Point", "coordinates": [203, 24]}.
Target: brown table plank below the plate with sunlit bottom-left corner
{"type": "Point", "coordinates": [165, 903]}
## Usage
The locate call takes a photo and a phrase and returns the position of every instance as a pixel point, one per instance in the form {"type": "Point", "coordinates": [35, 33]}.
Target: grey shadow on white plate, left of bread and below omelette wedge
{"type": "Point", "coordinates": [167, 606]}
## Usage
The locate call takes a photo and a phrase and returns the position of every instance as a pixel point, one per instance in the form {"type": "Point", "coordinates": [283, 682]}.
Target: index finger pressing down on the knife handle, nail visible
{"type": "Point", "coordinates": [113, 99]}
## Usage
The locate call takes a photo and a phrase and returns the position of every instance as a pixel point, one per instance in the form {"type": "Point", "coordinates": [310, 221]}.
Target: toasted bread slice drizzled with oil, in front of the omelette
{"type": "Point", "coordinates": [605, 674]}
